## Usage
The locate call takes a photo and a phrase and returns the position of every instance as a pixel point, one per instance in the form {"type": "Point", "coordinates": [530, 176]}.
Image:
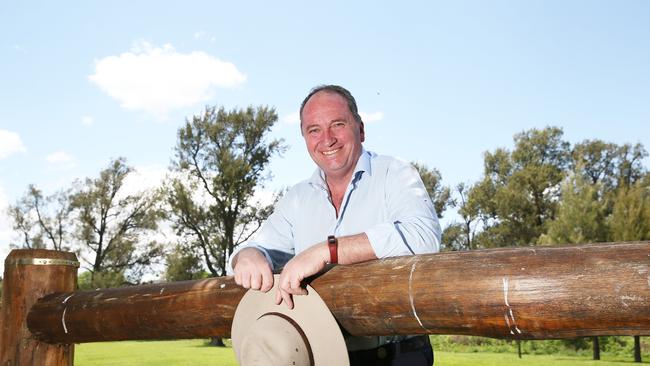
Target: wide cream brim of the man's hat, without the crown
{"type": "Point", "coordinates": [310, 313]}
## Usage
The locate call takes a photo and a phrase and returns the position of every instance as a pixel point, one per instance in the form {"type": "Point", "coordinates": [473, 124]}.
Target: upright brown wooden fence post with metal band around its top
{"type": "Point", "coordinates": [29, 275]}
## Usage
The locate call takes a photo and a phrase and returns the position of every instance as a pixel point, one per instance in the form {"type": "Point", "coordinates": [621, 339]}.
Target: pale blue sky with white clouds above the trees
{"type": "Point", "coordinates": [437, 82]}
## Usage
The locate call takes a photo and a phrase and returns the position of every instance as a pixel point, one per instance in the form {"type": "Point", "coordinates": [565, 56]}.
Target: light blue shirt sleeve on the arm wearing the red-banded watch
{"type": "Point", "coordinates": [413, 226]}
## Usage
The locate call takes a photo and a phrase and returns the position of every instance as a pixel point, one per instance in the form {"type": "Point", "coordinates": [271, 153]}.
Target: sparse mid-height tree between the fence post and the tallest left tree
{"type": "Point", "coordinates": [112, 227]}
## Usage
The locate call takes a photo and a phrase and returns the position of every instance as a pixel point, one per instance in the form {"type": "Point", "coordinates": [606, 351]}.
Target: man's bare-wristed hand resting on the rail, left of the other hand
{"type": "Point", "coordinates": [252, 270]}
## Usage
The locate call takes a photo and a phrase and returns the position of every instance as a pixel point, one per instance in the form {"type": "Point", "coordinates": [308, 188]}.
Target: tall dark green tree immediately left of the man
{"type": "Point", "coordinates": [219, 163]}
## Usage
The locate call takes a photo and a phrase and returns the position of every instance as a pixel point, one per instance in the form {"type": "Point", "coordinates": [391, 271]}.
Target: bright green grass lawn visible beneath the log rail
{"type": "Point", "coordinates": [195, 353]}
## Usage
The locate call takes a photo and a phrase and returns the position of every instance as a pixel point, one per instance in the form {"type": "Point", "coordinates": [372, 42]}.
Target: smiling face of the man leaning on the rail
{"type": "Point", "coordinates": [332, 135]}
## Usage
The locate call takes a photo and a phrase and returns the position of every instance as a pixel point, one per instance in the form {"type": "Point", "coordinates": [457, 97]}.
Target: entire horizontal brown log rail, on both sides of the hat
{"type": "Point", "coordinates": [519, 293]}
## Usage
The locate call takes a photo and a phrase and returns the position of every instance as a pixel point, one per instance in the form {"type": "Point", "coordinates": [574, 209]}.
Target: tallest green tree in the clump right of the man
{"type": "Point", "coordinates": [519, 191]}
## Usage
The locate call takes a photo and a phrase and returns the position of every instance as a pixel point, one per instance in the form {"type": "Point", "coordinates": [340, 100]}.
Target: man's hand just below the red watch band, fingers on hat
{"type": "Point", "coordinates": [305, 264]}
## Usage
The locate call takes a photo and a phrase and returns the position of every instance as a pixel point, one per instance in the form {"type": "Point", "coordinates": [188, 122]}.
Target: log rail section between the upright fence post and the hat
{"type": "Point", "coordinates": [174, 310]}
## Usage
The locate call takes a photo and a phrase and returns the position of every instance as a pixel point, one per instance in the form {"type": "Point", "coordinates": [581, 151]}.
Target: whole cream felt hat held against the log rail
{"type": "Point", "coordinates": [264, 333]}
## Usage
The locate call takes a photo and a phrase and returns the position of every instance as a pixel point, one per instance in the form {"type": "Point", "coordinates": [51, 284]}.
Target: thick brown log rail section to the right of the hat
{"type": "Point", "coordinates": [516, 293]}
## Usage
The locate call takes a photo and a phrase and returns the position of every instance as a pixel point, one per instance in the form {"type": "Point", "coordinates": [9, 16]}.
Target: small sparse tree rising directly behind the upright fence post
{"type": "Point", "coordinates": [44, 222]}
